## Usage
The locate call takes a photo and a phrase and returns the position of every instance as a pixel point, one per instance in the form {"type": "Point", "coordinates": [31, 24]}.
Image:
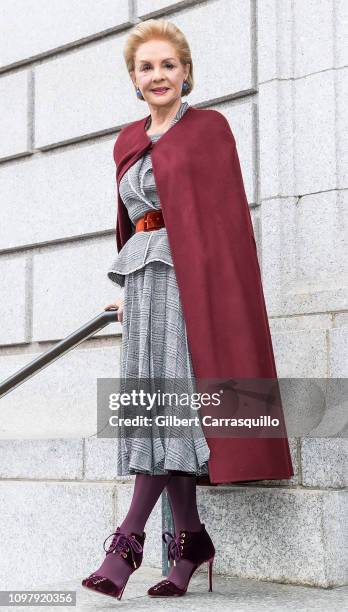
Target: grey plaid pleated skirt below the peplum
{"type": "Point", "coordinates": [154, 347]}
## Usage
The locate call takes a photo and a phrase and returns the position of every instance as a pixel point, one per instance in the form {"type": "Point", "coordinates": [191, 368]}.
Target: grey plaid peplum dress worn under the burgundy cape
{"type": "Point", "coordinates": [154, 339]}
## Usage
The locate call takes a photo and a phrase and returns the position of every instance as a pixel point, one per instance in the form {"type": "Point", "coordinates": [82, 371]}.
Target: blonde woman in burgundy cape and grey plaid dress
{"type": "Point", "coordinates": [172, 324]}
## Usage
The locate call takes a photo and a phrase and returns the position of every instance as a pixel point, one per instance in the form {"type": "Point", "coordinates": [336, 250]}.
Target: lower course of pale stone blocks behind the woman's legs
{"type": "Point", "coordinates": [62, 496]}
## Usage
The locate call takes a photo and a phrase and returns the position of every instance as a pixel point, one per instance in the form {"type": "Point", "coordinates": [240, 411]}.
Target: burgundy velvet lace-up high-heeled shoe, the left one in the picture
{"type": "Point", "coordinates": [130, 548]}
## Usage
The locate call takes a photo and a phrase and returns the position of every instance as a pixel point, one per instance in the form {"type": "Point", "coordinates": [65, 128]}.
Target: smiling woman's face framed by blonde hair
{"type": "Point", "coordinates": [157, 65]}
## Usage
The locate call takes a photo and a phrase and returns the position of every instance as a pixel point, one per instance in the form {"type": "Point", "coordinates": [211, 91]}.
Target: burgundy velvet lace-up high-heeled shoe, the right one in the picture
{"type": "Point", "coordinates": [197, 547]}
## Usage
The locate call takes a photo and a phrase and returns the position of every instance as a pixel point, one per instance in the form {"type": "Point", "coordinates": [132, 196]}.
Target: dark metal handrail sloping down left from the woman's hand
{"type": "Point", "coordinates": [58, 350]}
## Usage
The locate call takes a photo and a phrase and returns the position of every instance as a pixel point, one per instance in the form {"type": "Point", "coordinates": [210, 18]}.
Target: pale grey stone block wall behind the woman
{"type": "Point", "coordinates": [277, 69]}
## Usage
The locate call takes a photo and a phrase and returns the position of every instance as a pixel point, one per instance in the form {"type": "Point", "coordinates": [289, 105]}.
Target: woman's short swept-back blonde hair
{"type": "Point", "coordinates": [160, 29]}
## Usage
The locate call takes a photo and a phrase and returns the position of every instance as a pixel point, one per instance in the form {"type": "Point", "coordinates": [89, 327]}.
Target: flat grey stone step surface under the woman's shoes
{"type": "Point", "coordinates": [237, 594]}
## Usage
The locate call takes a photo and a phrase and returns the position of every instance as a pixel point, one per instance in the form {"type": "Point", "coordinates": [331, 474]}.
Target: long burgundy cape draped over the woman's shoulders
{"type": "Point", "coordinates": [210, 234]}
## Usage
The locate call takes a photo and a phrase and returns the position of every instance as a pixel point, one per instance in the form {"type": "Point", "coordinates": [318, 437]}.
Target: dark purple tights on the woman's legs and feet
{"type": "Point", "coordinates": [147, 489]}
